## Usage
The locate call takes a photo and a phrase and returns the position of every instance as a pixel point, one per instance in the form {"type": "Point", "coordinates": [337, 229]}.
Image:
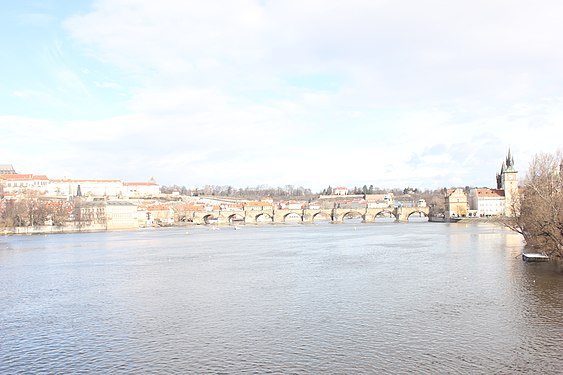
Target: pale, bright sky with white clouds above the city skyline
{"type": "Point", "coordinates": [396, 93]}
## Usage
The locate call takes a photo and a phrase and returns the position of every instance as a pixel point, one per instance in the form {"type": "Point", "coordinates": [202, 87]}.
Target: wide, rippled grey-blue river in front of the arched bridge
{"type": "Point", "coordinates": [284, 299]}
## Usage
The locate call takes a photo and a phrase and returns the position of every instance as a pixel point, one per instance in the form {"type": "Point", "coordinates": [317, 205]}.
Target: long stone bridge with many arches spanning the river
{"type": "Point", "coordinates": [280, 216]}
